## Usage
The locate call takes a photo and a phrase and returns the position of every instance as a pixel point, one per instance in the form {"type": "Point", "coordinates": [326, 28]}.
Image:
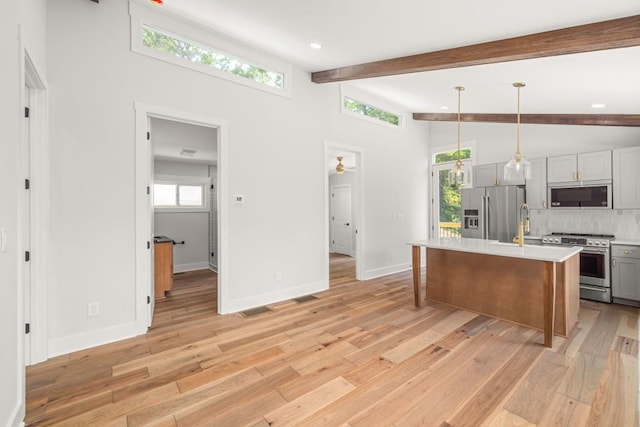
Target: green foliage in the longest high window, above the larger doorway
{"type": "Point", "coordinates": [191, 51]}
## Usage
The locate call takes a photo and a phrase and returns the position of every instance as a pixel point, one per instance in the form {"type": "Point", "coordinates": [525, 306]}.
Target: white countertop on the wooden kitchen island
{"type": "Point", "coordinates": [493, 247]}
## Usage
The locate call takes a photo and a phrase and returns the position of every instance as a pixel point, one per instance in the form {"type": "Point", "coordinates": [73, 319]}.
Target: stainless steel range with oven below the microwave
{"type": "Point", "coordinates": [595, 262]}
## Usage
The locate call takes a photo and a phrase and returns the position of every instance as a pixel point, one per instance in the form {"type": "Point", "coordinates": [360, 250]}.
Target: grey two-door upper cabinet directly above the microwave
{"type": "Point", "coordinates": [581, 167]}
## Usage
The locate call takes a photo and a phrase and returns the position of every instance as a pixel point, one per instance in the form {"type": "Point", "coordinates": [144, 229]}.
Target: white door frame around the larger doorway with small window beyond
{"type": "Point", "coordinates": [145, 231]}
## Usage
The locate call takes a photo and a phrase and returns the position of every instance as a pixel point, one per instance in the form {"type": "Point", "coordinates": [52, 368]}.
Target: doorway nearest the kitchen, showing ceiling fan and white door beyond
{"type": "Point", "coordinates": [344, 198]}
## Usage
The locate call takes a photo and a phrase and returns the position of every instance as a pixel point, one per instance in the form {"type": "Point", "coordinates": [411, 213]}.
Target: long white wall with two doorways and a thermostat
{"type": "Point", "coordinates": [279, 227]}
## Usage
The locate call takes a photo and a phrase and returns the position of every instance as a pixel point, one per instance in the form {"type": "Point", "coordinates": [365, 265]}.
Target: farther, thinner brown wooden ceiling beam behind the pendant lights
{"type": "Point", "coordinates": [632, 120]}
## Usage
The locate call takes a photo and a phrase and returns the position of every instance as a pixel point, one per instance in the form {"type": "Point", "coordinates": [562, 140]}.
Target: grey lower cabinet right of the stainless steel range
{"type": "Point", "coordinates": [625, 273]}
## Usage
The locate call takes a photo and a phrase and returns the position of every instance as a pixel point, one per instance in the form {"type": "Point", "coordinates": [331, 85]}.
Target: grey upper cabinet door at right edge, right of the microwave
{"type": "Point", "coordinates": [626, 178]}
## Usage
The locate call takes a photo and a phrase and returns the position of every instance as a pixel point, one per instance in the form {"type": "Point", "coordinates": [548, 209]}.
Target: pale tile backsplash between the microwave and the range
{"type": "Point", "coordinates": [621, 223]}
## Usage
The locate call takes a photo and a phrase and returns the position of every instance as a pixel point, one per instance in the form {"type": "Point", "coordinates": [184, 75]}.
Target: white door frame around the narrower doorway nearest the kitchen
{"type": "Point", "coordinates": [330, 146]}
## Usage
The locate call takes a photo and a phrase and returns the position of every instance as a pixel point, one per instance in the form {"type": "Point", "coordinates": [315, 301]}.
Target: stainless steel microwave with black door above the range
{"type": "Point", "coordinates": [588, 196]}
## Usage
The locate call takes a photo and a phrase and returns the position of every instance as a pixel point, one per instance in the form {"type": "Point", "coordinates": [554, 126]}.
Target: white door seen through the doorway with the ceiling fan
{"type": "Point", "coordinates": [341, 221]}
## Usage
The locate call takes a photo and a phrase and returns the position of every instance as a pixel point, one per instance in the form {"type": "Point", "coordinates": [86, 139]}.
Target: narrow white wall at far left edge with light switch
{"type": "Point", "coordinates": [21, 27]}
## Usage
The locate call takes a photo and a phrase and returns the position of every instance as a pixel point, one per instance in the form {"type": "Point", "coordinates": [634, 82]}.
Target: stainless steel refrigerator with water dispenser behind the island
{"type": "Point", "coordinates": [491, 212]}
